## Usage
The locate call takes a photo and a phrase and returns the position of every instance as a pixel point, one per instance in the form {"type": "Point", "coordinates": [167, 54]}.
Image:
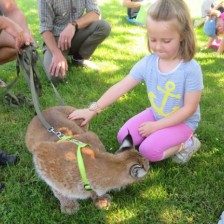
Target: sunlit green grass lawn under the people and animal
{"type": "Point", "coordinates": [171, 193]}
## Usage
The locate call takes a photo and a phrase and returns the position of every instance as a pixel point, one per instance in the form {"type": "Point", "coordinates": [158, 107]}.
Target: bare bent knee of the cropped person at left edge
{"type": "Point", "coordinates": [7, 48]}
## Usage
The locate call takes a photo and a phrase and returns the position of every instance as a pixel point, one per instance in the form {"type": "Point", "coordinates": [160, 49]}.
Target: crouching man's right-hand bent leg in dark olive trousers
{"type": "Point", "coordinates": [86, 40]}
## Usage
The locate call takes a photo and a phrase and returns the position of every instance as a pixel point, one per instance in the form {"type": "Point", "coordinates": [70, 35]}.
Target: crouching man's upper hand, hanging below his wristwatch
{"type": "Point", "coordinates": [65, 38]}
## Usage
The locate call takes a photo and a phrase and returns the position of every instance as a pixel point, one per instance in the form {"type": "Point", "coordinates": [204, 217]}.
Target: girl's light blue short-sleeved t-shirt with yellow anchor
{"type": "Point", "coordinates": [166, 90]}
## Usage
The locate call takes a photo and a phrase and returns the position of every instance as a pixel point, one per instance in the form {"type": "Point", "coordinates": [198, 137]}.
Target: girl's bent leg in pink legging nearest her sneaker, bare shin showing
{"type": "Point", "coordinates": [165, 142]}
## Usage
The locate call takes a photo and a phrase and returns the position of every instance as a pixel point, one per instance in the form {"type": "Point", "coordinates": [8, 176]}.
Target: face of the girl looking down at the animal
{"type": "Point", "coordinates": [164, 39]}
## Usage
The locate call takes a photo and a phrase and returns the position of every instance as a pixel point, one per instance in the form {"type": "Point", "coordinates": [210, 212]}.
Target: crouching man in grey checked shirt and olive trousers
{"type": "Point", "coordinates": [70, 28]}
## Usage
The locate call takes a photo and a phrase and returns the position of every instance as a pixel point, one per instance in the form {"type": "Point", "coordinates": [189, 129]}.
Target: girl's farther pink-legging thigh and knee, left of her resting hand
{"type": "Point", "coordinates": [132, 125]}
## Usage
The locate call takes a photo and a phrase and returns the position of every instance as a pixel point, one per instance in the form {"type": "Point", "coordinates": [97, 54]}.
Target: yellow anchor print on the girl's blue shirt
{"type": "Point", "coordinates": [169, 88]}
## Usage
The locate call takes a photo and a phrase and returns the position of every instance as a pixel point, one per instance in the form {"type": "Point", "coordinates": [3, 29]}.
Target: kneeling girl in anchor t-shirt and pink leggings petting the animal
{"type": "Point", "coordinates": [174, 83]}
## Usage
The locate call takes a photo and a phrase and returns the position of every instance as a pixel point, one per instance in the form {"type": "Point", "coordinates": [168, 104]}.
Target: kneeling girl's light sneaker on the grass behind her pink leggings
{"type": "Point", "coordinates": [186, 153]}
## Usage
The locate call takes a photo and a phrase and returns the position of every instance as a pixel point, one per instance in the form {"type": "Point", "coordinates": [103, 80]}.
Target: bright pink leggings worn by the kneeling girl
{"type": "Point", "coordinates": [154, 146]}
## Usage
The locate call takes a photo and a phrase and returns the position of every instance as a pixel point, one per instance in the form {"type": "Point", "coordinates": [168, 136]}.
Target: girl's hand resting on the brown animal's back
{"type": "Point", "coordinates": [85, 114]}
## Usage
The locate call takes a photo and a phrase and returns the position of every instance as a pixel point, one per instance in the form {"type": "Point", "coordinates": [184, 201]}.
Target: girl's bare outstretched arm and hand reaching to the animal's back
{"type": "Point", "coordinates": [110, 96]}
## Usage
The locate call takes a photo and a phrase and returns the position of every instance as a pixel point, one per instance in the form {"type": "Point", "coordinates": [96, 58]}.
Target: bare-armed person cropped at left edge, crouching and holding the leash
{"type": "Point", "coordinates": [14, 32]}
